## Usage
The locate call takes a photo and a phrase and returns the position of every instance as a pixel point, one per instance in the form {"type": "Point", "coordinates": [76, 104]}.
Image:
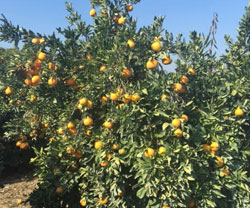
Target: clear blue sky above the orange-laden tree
{"type": "Point", "coordinates": [181, 16]}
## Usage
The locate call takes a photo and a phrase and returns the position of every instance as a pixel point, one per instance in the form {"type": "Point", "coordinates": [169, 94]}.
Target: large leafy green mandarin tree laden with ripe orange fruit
{"type": "Point", "coordinates": [121, 130]}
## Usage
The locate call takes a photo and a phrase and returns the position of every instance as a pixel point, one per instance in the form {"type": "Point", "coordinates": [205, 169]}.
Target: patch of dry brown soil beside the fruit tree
{"type": "Point", "coordinates": [16, 185]}
